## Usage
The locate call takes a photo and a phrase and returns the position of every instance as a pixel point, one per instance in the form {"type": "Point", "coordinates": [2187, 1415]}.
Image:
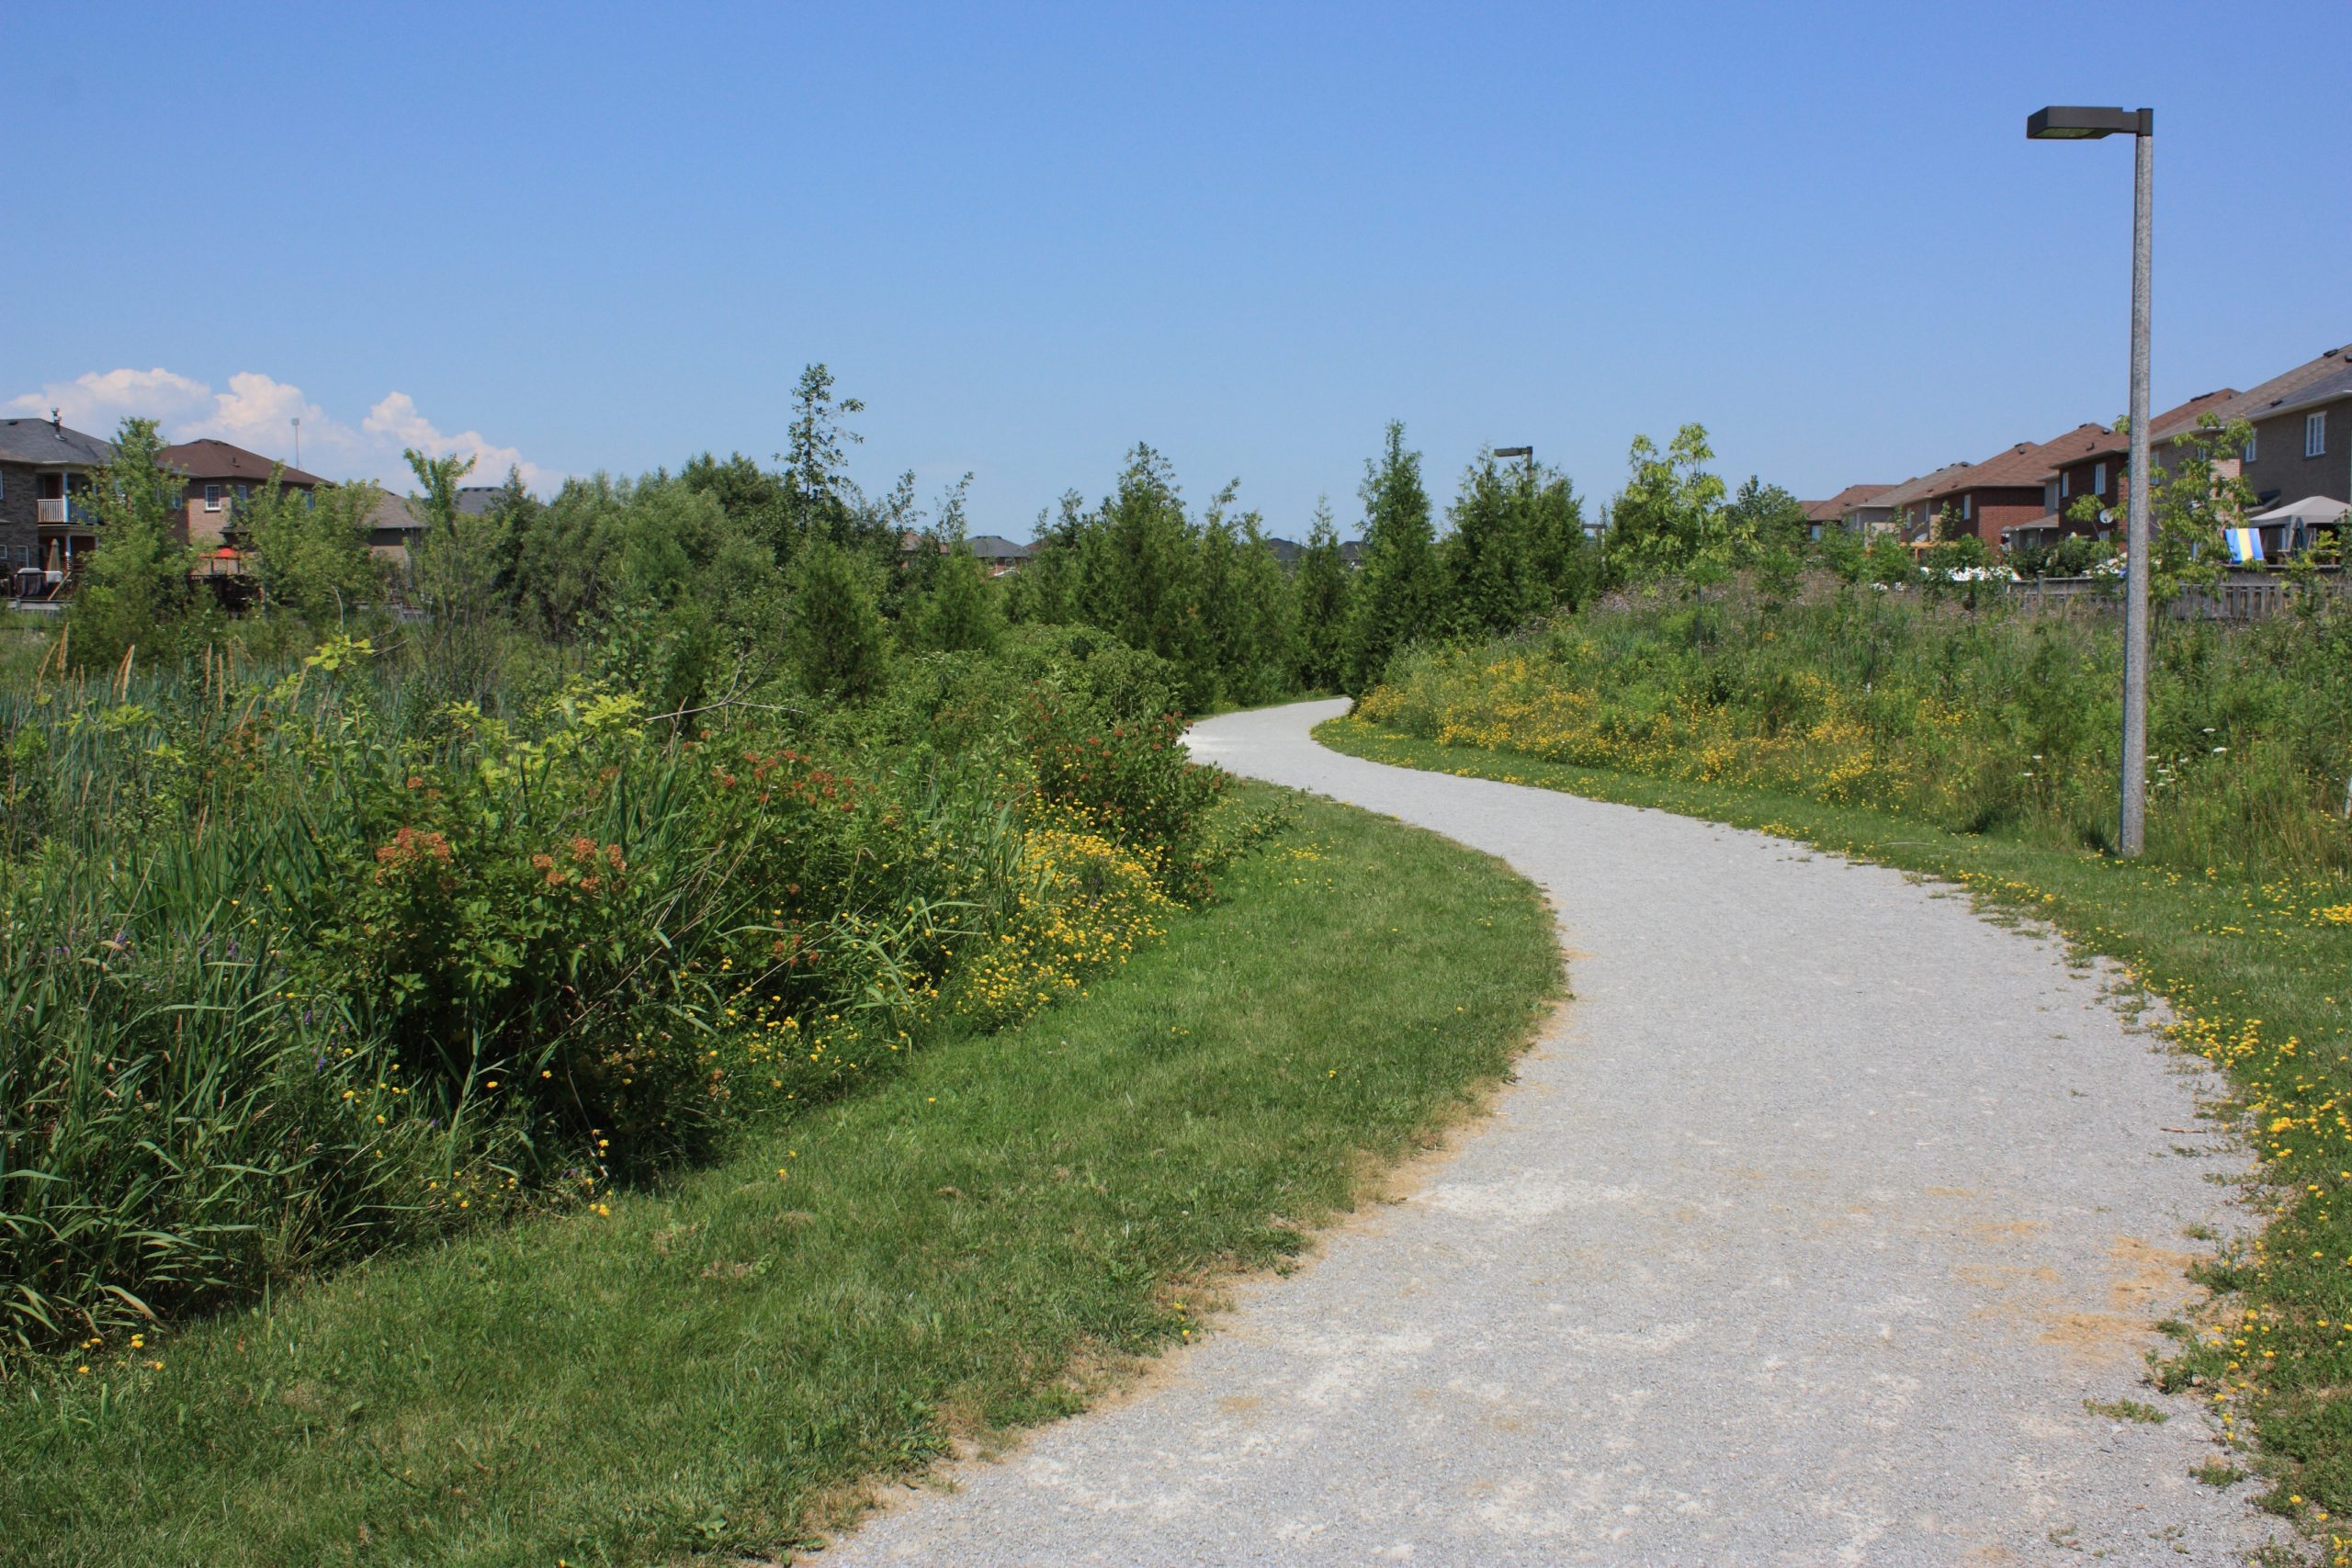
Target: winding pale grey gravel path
{"type": "Point", "coordinates": [1805, 1235]}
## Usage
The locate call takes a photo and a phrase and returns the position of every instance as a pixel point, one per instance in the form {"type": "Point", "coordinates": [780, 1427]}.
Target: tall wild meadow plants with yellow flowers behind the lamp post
{"type": "Point", "coordinates": [1982, 721]}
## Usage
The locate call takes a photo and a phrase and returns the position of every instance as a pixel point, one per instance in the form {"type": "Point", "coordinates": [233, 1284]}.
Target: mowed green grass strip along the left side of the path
{"type": "Point", "coordinates": [963, 1249]}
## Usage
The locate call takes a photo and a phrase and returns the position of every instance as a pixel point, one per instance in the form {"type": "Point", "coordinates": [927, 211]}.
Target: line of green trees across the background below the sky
{"type": "Point", "coordinates": [733, 572]}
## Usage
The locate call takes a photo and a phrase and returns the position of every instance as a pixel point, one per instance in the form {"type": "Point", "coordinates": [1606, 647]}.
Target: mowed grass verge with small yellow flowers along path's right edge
{"type": "Point", "coordinates": [2259, 979]}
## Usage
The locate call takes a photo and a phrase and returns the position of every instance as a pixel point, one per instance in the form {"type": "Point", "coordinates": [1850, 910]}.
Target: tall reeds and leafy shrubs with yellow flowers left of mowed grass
{"type": "Point", "coordinates": [309, 963]}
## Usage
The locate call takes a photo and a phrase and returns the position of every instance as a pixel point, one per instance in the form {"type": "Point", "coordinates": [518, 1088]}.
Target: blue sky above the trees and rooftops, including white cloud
{"type": "Point", "coordinates": [1034, 236]}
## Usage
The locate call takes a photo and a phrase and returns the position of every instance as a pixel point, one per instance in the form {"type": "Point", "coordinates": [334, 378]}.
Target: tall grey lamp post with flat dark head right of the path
{"type": "Point", "coordinates": [2141, 126]}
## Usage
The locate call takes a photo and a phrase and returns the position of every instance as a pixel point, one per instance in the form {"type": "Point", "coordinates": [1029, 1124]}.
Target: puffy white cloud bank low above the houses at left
{"type": "Point", "coordinates": [260, 413]}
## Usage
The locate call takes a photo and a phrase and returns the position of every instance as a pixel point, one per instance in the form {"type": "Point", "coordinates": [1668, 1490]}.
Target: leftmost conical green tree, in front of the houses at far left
{"type": "Point", "coordinates": [135, 589]}
